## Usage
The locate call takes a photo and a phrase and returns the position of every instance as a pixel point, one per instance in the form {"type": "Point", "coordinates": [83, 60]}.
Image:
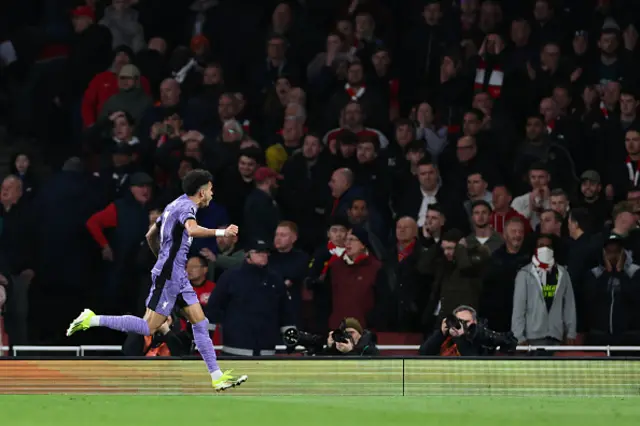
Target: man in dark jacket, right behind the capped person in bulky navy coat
{"type": "Point", "coordinates": [291, 263]}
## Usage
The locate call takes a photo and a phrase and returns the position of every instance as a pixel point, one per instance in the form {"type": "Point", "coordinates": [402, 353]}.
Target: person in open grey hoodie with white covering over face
{"type": "Point", "coordinates": [544, 310]}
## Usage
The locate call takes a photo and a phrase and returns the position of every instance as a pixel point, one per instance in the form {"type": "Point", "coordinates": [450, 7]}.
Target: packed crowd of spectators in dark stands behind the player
{"type": "Point", "coordinates": [396, 159]}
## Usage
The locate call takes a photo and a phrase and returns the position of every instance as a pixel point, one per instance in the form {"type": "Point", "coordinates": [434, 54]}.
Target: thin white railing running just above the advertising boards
{"type": "Point", "coordinates": [87, 349]}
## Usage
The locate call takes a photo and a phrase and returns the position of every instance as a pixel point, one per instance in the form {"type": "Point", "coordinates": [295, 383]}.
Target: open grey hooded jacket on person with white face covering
{"type": "Point", "coordinates": [531, 319]}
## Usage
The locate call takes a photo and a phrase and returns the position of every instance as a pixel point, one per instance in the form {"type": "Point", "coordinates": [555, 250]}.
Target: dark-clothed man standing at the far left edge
{"type": "Point", "coordinates": [16, 247]}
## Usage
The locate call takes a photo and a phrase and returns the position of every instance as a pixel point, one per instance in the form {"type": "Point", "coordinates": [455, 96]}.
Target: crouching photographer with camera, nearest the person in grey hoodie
{"type": "Point", "coordinates": [461, 335]}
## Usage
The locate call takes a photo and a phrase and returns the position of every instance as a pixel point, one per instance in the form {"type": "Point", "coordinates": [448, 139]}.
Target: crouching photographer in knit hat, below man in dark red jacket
{"type": "Point", "coordinates": [350, 339]}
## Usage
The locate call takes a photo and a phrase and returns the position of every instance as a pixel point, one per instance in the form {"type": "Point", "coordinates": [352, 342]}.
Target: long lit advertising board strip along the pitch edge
{"type": "Point", "coordinates": [353, 377]}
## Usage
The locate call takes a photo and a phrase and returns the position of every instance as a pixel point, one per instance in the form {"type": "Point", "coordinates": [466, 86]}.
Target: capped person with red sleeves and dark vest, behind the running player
{"type": "Point", "coordinates": [129, 219]}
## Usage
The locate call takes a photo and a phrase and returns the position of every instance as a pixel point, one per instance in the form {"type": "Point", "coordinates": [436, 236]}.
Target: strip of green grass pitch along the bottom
{"type": "Point", "coordinates": [103, 410]}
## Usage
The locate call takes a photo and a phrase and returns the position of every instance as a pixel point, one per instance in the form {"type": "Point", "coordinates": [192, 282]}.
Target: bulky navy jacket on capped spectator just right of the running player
{"type": "Point", "coordinates": [253, 306]}
